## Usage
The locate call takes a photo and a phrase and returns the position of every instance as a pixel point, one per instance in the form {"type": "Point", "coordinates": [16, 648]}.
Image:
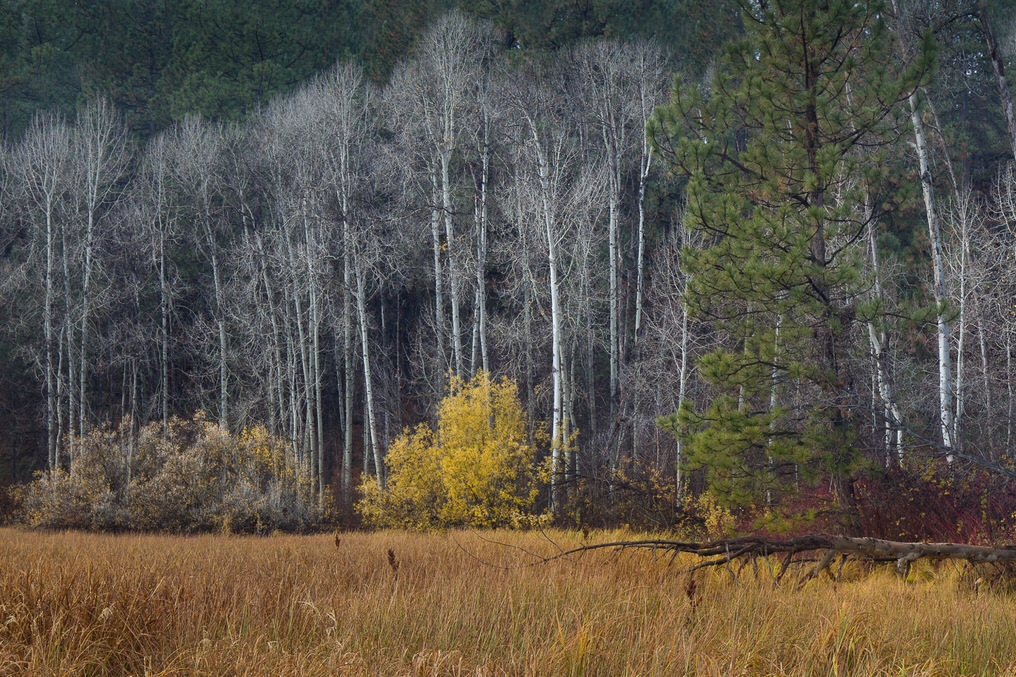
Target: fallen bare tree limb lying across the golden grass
{"type": "Point", "coordinates": [726, 551]}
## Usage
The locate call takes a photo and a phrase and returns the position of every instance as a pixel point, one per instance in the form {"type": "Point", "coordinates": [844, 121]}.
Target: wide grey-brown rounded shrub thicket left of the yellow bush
{"type": "Point", "coordinates": [193, 477]}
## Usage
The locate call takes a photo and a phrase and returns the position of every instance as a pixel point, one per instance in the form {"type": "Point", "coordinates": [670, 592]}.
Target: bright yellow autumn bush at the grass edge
{"type": "Point", "coordinates": [476, 469]}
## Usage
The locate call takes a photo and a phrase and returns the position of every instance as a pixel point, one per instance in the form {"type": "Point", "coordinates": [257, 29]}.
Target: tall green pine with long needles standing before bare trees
{"type": "Point", "coordinates": [781, 152]}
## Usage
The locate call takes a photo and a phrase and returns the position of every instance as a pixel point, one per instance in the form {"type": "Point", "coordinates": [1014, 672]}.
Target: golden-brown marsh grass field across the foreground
{"type": "Point", "coordinates": [470, 603]}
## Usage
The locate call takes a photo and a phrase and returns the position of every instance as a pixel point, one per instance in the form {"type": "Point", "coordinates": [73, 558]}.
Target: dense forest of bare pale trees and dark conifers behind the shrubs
{"type": "Point", "coordinates": [309, 216]}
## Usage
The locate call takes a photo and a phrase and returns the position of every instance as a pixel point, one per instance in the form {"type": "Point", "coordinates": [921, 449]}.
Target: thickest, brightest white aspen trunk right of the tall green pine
{"type": "Point", "coordinates": [938, 285]}
